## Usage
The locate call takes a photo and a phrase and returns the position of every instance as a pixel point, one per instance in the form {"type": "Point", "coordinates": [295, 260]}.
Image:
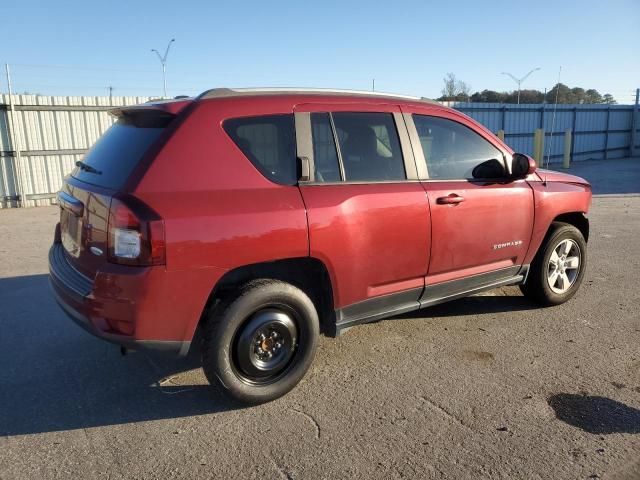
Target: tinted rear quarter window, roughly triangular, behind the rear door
{"type": "Point", "coordinates": [269, 143]}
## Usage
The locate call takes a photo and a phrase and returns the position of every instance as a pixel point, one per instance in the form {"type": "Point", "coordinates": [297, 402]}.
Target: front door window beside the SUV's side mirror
{"type": "Point", "coordinates": [452, 150]}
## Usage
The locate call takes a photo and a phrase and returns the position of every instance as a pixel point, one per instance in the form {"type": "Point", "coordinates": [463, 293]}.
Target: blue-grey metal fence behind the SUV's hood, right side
{"type": "Point", "coordinates": [599, 131]}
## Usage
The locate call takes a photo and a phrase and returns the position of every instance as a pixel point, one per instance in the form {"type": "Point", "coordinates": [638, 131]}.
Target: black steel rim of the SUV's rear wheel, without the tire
{"type": "Point", "coordinates": [266, 344]}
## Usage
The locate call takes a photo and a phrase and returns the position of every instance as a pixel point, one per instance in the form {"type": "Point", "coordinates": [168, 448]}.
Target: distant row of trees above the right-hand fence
{"type": "Point", "coordinates": [459, 91]}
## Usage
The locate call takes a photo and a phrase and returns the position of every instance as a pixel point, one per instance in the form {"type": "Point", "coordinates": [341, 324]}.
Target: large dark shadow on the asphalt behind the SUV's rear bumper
{"type": "Point", "coordinates": [54, 376]}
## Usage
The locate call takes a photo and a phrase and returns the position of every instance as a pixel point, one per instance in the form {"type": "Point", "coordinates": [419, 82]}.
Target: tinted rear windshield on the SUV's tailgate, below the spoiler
{"type": "Point", "coordinates": [114, 156]}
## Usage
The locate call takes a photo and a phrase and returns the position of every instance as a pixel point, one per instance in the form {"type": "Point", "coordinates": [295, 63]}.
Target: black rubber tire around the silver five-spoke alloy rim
{"type": "Point", "coordinates": [538, 287]}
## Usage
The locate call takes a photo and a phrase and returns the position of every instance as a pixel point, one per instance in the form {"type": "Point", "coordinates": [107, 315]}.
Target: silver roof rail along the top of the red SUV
{"type": "Point", "coordinates": [238, 92]}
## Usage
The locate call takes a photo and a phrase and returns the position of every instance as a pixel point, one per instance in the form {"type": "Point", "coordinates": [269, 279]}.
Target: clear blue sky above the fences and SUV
{"type": "Point", "coordinates": [83, 47]}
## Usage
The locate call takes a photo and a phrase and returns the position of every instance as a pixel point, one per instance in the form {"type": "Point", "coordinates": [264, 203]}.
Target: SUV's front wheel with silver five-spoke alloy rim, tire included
{"type": "Point", "coordinates": [557, 270]}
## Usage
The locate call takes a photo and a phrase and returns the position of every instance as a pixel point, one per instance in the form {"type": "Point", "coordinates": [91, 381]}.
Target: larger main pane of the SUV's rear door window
{"type": "Point", "coordinates": [369, 146]}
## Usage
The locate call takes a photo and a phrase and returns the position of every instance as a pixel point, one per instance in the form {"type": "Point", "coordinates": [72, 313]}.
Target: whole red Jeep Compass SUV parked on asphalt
{"type": "Point", "coordinates": [259, 218]}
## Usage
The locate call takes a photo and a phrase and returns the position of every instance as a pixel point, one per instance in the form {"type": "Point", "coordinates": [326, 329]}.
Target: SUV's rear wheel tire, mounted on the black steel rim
{"type": "Point", "coordinates": [230, 355]}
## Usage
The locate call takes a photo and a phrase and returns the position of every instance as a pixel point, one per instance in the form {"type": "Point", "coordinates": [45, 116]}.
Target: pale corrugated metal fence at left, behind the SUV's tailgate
{"type": "Point", "coordinates": [41, 138]}
